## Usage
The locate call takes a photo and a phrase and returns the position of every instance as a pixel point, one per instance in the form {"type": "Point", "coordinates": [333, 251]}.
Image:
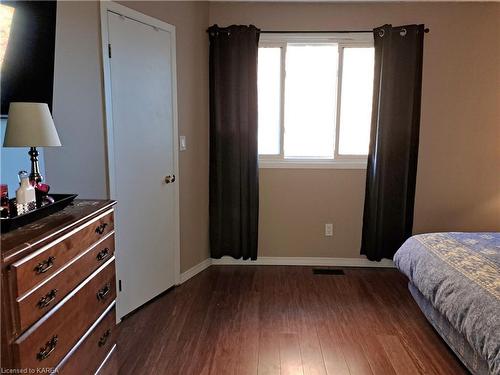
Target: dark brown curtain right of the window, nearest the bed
{"type": "Point", "coordinates": [392, 159]}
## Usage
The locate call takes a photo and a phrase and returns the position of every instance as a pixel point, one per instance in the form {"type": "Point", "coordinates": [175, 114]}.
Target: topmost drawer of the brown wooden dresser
{"type": "Point", "coordinates": [32, 270]}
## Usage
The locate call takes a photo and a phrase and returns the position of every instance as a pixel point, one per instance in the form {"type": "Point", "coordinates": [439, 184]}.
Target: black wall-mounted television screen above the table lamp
{"type": "Point", "coordinates": [28, 66]}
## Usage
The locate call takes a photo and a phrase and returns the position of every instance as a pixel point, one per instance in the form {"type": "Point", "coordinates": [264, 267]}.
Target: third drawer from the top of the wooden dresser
{"type": "Point", "coordinates": [48, 340]}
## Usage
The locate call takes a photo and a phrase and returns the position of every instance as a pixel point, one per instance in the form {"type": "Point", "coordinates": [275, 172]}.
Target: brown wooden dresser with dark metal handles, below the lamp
{"type": "Point", "coordinates": [58, 293]}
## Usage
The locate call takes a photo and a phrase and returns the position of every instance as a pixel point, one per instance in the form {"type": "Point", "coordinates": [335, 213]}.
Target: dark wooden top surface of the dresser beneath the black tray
{"type": "Point", "coordinates": [30, 237]}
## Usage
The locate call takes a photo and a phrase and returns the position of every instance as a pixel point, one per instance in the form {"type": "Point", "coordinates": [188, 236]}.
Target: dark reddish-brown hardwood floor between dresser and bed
{"type": "Point", "coordinates": [284, 320]}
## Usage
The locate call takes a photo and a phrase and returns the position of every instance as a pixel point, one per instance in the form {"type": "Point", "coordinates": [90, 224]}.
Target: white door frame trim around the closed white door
{"type": "Point", "coordinates": [108, 109]}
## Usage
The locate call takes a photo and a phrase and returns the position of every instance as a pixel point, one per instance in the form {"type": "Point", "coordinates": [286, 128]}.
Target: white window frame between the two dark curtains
{"type": "Point", "coordinates": [343, 40]}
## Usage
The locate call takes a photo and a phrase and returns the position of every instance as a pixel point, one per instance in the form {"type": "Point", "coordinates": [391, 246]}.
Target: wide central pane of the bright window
{"type": "Point", "coordinates": [310, 100]}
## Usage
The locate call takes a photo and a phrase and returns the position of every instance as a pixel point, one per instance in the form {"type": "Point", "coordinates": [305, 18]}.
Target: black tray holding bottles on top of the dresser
{"type": "Point", "coordinates": [60, 202]}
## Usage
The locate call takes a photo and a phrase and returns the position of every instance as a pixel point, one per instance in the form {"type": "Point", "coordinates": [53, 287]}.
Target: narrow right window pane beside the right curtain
{"type": "Point", "coordinates": [356, 101]}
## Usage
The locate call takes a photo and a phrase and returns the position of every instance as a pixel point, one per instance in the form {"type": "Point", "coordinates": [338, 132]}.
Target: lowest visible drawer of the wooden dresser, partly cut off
{"type": "Point", "coordinates": [92, 351]}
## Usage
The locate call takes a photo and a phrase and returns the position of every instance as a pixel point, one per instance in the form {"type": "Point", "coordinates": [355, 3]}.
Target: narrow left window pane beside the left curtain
{"type": "Point", "coordinates": [269, 86]}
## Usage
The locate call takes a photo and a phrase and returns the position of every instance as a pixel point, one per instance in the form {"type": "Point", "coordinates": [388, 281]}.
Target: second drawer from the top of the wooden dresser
{"type": "Point", "coordinates": [32, 306]}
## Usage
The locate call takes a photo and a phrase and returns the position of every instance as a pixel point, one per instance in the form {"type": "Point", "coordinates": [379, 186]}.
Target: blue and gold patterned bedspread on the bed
{"type": "Point", "coordinates": [459, 273]}
